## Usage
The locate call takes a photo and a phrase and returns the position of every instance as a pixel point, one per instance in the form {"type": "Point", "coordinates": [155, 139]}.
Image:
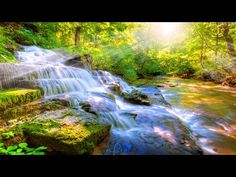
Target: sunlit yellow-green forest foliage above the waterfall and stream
{"type": "Point", "coordinates": [134, 50]}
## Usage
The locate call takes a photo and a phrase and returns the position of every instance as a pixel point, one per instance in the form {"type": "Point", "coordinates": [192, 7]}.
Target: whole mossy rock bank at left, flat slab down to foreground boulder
{"type": "Point", "coordinates": [50, 123]}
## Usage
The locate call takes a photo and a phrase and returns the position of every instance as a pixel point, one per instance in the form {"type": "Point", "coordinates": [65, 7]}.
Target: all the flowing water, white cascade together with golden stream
{"type": "Point", "coordinates": [185, 127]}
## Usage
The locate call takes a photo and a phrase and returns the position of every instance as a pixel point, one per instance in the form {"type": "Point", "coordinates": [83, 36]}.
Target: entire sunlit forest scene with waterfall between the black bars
{"type": "Point", "coordinates": [115, 88]}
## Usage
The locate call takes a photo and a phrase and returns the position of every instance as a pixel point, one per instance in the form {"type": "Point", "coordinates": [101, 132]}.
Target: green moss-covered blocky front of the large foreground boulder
{"type": "Point", "coordinates": [64, 138]}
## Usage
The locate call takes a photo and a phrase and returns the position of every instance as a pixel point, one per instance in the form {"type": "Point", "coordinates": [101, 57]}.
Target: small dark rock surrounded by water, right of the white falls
{"type": "Point", "coordinates": [136, 97]}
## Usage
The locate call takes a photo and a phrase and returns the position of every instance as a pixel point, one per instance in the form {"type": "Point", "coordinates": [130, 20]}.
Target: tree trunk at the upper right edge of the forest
{"type": "Point", "coordinates": [230, 43]}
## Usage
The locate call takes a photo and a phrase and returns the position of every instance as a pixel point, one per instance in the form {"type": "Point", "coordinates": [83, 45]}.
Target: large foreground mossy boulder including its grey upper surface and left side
{"type": "Point", "coordinates": [63, 130]}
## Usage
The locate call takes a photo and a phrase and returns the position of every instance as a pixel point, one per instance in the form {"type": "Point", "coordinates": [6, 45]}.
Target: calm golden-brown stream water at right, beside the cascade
{"type": "Point", "coordinates": [208, 109]}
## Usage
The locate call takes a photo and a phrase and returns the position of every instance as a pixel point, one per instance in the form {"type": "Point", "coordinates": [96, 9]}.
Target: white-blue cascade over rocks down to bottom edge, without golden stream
{"type": "Point", "coordinates": [136, 129]}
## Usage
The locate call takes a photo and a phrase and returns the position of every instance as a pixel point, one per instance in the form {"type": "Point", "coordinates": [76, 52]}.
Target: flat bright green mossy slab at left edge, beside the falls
{"type": "Point", "coordinates": [12, 98]}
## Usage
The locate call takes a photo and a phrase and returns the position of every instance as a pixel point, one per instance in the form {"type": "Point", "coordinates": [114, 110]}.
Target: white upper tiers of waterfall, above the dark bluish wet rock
{"type": "Point", "coordinates": [76, 84]}
